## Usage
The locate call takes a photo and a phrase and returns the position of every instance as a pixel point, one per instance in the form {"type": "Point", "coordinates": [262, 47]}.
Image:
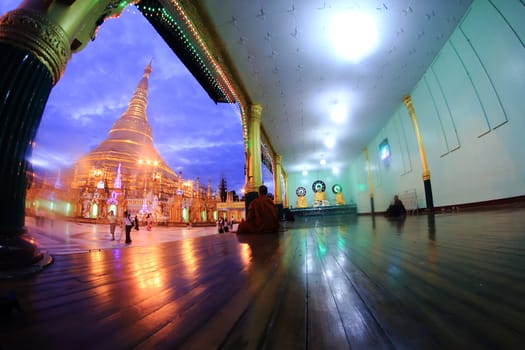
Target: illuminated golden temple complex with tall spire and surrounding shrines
{"type": "Point", "coordinates": [125, 172]}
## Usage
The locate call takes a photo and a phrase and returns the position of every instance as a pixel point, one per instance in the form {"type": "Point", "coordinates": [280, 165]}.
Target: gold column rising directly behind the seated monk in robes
{"type": "Point", "coordinates": [254, 163]}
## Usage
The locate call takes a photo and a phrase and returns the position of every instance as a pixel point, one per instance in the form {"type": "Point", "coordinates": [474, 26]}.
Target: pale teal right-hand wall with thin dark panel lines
{"type": "Point", "coordinates": [470, 106]}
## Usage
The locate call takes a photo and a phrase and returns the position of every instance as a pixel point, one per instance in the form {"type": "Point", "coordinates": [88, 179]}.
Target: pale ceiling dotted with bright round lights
{"type": "Point", "coordinates": [285, 55]}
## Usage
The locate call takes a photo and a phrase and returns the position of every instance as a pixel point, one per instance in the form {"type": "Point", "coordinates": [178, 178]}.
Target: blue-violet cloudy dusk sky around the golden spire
{"type": "Point", "coordinates": [190, 131]}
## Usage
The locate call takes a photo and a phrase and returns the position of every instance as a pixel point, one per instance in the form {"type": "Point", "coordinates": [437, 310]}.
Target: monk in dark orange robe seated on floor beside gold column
{"type": "Point", "coordinates": [262, 215]}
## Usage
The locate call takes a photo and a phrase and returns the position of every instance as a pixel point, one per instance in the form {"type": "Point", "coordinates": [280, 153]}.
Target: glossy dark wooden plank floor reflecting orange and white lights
{"type": "Point", "coordinates": [449, 281]}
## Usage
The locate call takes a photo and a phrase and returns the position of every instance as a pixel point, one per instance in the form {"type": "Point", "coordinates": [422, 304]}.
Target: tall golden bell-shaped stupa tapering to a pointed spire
{"type": "Point", "coordinates": [126, 162]}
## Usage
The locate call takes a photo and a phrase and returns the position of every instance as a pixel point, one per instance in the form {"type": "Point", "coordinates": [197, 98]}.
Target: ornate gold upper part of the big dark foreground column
{"type": "Point", "coordinates": [52, 30]}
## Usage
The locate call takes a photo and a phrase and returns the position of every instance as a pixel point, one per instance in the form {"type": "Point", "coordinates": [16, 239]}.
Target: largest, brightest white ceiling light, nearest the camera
{"type": "Point", "coordinates": [354, 35]}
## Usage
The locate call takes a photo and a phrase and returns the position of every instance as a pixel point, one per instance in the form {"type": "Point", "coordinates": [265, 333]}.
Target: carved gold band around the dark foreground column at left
{"type": "Point", "coordinates": [32, 31]}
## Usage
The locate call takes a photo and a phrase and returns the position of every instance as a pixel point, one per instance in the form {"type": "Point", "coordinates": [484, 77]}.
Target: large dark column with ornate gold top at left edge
{"type": "Point", "coordinates": [36, 42]}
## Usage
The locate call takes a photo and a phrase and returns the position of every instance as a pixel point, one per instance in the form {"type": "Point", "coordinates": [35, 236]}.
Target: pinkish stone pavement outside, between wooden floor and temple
{"type": "Point", "coordinates": [66, 237]}
